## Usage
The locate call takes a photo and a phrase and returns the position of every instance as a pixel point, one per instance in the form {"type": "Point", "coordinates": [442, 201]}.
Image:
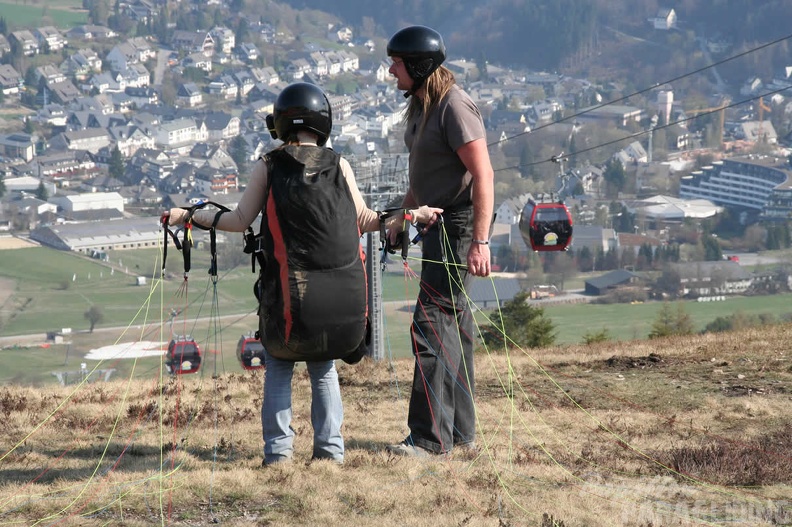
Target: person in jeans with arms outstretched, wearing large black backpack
{"type": "Point", "coordinates": [299, 181]}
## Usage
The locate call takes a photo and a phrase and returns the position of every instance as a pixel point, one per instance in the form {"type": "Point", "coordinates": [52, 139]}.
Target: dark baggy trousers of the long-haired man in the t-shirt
{"type": "Point", "coordinates": [442, 412]}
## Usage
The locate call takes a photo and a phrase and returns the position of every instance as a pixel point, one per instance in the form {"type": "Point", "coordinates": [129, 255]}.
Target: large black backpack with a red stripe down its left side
{"type": "Point", "coordinates": [312, 287]}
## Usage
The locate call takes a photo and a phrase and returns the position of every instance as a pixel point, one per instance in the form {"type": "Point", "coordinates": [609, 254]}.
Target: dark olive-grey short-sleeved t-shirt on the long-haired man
{"type": "Point", "coordinates": [438, 177]}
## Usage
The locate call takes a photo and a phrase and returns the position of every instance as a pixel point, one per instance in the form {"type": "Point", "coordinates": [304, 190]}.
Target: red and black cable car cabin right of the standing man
{"type": "Point", "coordinates": [546, 225]}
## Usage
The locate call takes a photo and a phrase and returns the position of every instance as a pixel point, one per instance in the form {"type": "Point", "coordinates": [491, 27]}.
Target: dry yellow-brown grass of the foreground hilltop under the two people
{"type": "Point", "coordinates": [683, 432]}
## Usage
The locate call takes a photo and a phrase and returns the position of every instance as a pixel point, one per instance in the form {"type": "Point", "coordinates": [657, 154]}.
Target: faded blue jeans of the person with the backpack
{"type": "Point", "coordinates": [327, 411]}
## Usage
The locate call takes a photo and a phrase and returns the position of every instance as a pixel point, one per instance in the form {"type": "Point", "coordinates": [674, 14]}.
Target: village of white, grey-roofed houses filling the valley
{"type": "Point", "coordinates": [102, 130]}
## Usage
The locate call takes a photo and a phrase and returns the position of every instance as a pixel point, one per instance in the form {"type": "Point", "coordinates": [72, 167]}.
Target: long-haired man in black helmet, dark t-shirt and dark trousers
{"type": "Point", "coordinates": [450, 168]}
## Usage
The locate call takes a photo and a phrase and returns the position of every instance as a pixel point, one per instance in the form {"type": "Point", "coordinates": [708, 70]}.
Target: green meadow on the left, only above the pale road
{"type": "Point", "coordinates": [45, 289]}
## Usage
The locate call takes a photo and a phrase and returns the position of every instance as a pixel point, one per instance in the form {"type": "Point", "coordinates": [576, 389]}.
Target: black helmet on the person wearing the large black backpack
{"type": "Point", "coordinates": [301, 106]}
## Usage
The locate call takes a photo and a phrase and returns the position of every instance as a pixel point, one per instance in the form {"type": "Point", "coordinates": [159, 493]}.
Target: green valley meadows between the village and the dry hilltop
{"type": "Point", "coordinates": [49, 290]}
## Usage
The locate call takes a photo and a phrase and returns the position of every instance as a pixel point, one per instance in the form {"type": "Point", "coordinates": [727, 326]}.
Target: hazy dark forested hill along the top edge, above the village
{"type": "Point", "coordinates": [542, 34]}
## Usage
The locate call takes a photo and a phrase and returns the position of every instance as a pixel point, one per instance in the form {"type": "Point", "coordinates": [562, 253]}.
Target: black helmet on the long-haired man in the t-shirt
{"type": "Point", "coordinates": [422, 50]}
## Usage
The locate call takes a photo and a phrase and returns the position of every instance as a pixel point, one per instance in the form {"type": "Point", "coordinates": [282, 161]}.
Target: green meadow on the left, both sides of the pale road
{"type": "Point", "coordinates": [45, 290]}
